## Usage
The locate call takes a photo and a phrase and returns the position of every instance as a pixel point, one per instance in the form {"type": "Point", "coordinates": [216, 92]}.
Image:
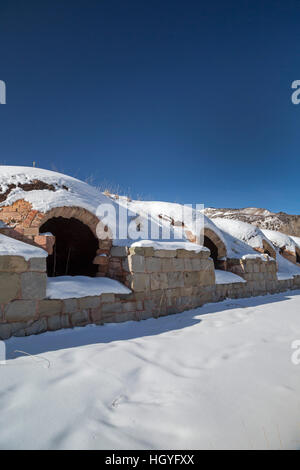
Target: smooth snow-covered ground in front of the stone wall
{"type": "Point", "coordinates": [219, 376]}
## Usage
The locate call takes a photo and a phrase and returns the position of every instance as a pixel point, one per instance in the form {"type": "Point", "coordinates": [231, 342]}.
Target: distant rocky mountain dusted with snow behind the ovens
{"type": "Point", "coordinates": [262, 218]}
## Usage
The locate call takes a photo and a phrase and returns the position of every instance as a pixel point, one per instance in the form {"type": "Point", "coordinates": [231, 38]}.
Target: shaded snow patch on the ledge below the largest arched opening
{"type": "Point", "coordinates": [65, 287]}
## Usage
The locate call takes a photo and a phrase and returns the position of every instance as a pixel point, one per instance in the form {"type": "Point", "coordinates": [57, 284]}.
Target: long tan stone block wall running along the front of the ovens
{"type": "Point", "coordinates": [162, 282]}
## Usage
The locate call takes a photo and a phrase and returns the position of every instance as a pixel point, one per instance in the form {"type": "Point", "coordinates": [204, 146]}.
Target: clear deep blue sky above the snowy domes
{"type": "Point", "coordinates": [187, 101]}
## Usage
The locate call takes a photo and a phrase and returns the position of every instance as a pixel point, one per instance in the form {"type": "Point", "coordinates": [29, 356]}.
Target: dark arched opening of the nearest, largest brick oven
{"type": "Point", "coordinates": [74, 250]}
